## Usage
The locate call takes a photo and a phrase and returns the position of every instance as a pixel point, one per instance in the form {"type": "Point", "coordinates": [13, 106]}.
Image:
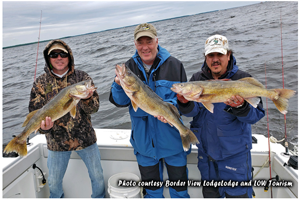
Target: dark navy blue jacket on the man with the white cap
{"type": "Point", "coordinates": [227, 131]}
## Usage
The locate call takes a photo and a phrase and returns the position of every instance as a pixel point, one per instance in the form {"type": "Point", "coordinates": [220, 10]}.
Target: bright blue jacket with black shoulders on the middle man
{"type": "Point", "coordinates": [149, 136]}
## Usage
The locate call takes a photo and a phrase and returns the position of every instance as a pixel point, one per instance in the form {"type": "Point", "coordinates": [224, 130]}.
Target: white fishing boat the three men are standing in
{"type": "Point", "coordinates": [26, 177]}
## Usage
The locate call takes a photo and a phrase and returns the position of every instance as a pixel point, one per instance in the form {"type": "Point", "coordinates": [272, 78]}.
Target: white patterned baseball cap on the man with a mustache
{"type": "Point", "coordinates": [216, 43]}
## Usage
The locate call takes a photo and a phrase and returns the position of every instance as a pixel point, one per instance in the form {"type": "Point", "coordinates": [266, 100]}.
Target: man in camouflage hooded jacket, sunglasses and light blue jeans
{"type": "Point", "coordinates": [67, 134]}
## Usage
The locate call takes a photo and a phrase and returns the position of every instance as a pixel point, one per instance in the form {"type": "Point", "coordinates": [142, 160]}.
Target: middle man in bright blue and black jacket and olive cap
{"type": "Point", "coordinates": [152, 138]}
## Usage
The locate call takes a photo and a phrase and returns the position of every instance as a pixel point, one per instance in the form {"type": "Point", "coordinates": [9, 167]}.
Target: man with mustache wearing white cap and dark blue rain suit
{"type": "Point", "coordinates": [224, 135]}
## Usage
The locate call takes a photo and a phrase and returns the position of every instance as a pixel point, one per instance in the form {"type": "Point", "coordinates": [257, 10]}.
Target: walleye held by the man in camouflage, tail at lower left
{"type": "Point", "coordinates": [65, 101]}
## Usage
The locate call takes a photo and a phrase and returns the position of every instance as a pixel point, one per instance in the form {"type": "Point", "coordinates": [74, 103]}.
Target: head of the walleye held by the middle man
{"type": "Point", "coordinates": [127, 78]}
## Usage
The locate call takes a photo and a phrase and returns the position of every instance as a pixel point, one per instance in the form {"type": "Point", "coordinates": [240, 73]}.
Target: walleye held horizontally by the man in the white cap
{"type": "Point", "coordinates": [215, 91]}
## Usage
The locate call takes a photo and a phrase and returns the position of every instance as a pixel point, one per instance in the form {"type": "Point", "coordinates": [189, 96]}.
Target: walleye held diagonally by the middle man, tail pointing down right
{"type": "Point", "coordinates": [145, 98]}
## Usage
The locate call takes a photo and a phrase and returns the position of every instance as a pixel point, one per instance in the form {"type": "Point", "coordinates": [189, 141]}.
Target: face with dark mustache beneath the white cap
{"type": "Point", "coordinates": [217, 62]}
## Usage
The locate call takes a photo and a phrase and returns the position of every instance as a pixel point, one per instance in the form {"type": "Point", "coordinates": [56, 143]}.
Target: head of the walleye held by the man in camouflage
{"type": "Point", "coordinates": [83, 89]}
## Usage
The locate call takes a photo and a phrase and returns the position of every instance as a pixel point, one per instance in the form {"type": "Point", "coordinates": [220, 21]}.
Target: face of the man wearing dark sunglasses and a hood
{"type": "Point", "coordinates": [60, 65]}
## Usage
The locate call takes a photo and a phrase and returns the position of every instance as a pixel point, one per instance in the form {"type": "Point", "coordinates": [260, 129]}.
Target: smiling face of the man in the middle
{"type": "Point", "coordinates": [147, 49]}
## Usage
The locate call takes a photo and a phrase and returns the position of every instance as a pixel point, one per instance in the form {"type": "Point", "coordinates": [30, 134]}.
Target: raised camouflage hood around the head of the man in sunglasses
{"type": "Point", "coordinates": [46, 57]}
